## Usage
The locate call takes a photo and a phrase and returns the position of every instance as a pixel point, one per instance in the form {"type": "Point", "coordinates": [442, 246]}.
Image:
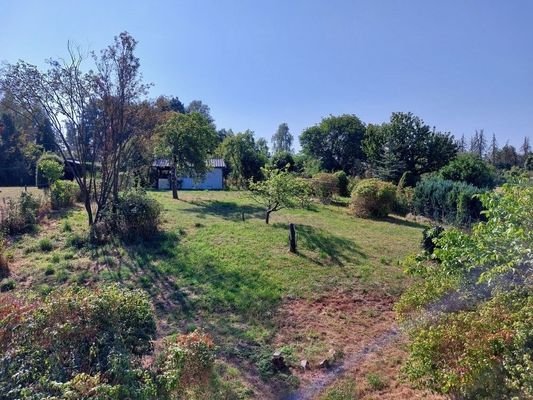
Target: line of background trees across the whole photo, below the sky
{"type": "Point", "coordinates": [101, 123]}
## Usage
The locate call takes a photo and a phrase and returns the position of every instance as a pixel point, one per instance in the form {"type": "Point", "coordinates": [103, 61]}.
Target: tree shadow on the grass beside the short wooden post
{"type": "Point", "coordinates": [330, 248]}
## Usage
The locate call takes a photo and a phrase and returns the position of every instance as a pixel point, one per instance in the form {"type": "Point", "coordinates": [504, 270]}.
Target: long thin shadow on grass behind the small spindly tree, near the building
{"type": "Point", "coordinates": [227, 210]}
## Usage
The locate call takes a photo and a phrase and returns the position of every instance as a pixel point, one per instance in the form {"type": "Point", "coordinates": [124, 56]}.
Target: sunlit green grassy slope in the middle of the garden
{"type": "Point", "coordinates": [208, 268]}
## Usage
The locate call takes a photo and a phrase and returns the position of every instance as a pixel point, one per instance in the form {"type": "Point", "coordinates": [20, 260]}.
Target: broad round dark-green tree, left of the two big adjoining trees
{"type": "Point", "coordinates": [336, 143]}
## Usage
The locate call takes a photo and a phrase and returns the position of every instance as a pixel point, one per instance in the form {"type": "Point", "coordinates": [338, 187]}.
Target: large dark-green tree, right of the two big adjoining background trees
{"type": "Point", "coordinates": [408, 144]}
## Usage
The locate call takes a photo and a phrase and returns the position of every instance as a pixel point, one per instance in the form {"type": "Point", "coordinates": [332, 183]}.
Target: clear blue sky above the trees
{"type": "Point", "coordinates": [461, 65]}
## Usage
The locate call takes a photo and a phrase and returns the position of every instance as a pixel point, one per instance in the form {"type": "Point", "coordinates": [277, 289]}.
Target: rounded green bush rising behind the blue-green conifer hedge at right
{"type": "Point", "coordinates": [470, 169]}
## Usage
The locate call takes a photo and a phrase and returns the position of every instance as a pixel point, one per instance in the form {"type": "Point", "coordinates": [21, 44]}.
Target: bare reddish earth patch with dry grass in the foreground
{"type": "Point", "coordinates": [358, 325]}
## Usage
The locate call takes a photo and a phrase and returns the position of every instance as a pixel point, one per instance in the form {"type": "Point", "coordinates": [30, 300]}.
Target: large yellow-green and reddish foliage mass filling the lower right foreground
{"type": "Point", "coordinates": [481, 347]}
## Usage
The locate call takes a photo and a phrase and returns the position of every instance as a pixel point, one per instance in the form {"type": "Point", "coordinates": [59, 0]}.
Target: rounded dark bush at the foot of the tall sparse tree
{"type": "Point", "coordinates": [134, 216]}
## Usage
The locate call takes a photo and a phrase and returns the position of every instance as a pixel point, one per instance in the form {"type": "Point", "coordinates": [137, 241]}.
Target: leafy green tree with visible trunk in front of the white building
{"type": "Point", "coordinates": [187, 140]}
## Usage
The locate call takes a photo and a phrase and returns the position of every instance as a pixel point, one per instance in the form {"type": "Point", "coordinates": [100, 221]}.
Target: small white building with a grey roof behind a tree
{"type": "Point", "coordinates": [213, 179]}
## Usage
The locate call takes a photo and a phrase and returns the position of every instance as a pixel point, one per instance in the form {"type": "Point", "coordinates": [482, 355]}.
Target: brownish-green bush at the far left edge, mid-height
{"type": "Point", "coordinates": [19, 216]}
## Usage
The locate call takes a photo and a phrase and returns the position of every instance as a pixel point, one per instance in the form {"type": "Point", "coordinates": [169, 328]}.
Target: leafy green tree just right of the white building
{"type": "Point", "coordinates": [243, 157]}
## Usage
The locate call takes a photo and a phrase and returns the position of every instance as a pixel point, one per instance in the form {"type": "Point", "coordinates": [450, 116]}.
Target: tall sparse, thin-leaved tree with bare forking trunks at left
{"type": "Point", "coordinates": [95, 106]}
